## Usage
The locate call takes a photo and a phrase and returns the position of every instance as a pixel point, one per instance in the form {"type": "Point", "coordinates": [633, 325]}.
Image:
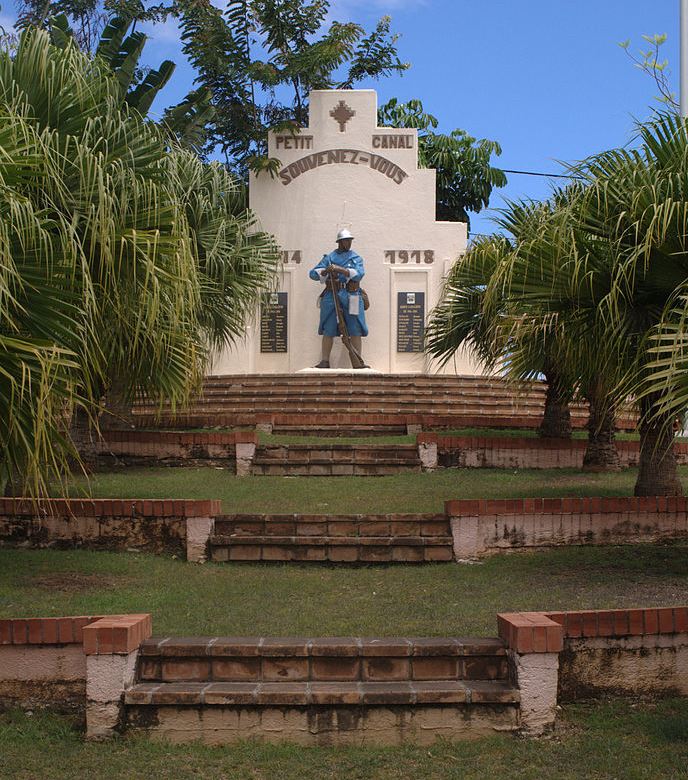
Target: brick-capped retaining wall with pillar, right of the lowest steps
{"type": "Point", "coordinates": [568, 656]}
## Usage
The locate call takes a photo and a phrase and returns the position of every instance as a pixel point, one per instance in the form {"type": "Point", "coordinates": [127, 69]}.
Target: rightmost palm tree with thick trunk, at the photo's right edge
{"type": "Point", "coordinates": [637, 205]}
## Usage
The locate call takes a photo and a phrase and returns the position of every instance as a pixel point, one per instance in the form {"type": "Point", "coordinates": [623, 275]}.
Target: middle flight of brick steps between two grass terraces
{"type": "Point", "coordinates": [338, 539]}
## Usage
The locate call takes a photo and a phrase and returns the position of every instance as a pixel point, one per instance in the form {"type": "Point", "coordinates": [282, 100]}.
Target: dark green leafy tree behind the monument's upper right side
{"type": "Point", "coordinates": [465, 178]}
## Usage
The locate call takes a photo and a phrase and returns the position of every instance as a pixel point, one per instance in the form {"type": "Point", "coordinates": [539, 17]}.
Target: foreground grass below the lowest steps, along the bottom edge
{"type": "Point", "coordinates": [610, 741]}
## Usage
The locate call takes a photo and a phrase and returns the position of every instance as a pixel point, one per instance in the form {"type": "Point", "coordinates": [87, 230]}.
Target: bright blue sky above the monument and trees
{"type": "Point", "coordinates": [545, 78]}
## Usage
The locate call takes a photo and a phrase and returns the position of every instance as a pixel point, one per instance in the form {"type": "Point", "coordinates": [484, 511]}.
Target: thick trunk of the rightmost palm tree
{"type": "Point", "coordinates": [657, 472]}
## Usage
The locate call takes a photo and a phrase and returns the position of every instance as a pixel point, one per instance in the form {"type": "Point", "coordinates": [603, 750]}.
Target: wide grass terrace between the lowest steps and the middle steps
{"type": "Point", "coordinates": [283, 600]}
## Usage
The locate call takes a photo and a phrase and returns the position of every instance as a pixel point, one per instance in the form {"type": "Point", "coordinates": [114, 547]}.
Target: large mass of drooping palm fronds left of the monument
{"type": "Point", "coordinates": [139, 248]}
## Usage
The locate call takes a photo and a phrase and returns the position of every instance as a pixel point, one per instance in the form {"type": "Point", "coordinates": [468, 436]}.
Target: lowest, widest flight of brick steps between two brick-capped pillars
{"type": "Point", "coordinates": [321, 690]}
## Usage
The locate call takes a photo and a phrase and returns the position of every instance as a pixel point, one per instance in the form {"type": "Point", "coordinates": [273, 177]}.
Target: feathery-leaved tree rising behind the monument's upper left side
{"type": "Point", "coordinates": [261, 59]}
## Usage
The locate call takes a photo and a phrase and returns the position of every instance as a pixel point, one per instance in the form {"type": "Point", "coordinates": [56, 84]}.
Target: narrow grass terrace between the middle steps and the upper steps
{"type": "Point", "coordinates": [409, 492]}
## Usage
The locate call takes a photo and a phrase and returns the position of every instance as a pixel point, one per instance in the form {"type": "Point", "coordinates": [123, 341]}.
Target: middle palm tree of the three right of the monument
{"type": "Point", "coordinates": [543, 276]}
